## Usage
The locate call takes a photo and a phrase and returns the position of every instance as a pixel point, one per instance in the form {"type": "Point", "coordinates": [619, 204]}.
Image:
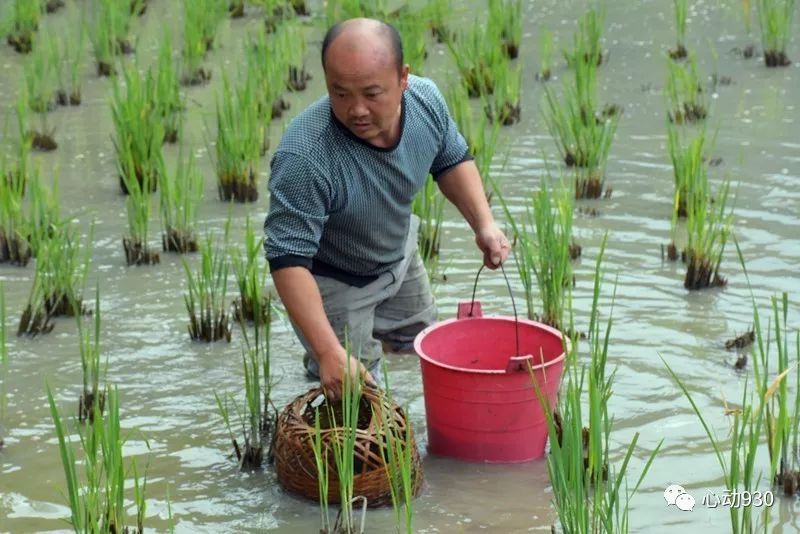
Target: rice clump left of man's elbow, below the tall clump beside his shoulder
{"type": "Point", "coordinates": [180, 195]}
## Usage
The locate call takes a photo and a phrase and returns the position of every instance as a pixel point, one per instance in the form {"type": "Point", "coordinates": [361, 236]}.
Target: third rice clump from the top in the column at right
{"type": "Point", "coordinates": [688, 164]}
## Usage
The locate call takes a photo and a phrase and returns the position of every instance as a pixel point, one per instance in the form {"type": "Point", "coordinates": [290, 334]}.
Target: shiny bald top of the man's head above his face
{"type": "Point", "coordinates": [363, 34]}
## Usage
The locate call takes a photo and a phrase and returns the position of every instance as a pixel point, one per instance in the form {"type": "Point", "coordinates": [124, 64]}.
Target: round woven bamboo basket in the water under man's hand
{"type": "Point", "coordinates": [293, 453]}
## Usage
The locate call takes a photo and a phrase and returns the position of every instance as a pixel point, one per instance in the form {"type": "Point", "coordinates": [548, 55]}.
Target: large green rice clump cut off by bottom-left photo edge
{"type": "Point", "coordinates": [98, 504]}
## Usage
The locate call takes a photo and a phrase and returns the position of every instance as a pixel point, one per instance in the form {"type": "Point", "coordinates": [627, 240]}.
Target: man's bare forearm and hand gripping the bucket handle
{"type": "Point", "coordinates": [462, 186]}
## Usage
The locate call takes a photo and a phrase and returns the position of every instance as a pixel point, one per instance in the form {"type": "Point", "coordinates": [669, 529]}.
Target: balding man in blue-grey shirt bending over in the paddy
{"type": "Point", "coordinates": [340, 239]}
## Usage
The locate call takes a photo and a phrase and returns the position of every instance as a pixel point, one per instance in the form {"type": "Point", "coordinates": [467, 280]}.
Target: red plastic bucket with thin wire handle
{"type": "Point", "coordinates": [480, 402]}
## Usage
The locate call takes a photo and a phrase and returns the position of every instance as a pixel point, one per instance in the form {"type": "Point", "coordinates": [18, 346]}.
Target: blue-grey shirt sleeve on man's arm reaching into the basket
{"type": "Point", "coordinates": [300, 201]}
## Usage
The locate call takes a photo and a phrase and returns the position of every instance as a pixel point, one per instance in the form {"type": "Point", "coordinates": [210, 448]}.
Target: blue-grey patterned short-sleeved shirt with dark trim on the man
{"type": "Point", "coordinates": [340, 206]}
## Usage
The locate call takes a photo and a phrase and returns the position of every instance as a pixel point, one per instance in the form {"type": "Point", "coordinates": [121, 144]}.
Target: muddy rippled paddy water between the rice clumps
{"type": "Point", "coordinates": [166, 382]}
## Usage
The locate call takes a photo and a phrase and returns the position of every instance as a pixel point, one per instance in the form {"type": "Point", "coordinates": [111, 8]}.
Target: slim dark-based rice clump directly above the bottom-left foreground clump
{"type": "Point", "coordinates": [92, 399]}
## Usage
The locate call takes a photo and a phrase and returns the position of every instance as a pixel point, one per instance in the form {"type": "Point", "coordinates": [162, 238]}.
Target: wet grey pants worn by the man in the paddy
{"type": "Point", "coordinates": [392, 309]}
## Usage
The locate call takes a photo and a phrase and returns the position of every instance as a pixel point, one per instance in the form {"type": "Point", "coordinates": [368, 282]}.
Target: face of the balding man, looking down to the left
{"type": "Point", "coordinates": [365, 92]}
